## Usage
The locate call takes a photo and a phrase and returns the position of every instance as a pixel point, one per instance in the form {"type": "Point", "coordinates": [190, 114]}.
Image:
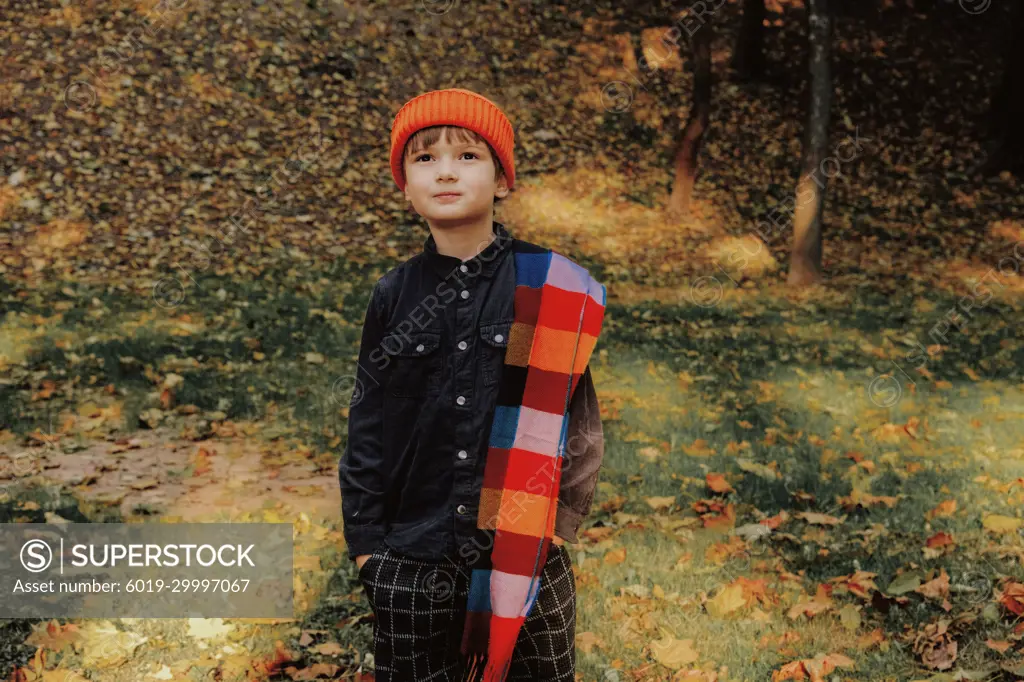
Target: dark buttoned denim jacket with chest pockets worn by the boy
{"type": "Point", "coordinates": [434, 344]}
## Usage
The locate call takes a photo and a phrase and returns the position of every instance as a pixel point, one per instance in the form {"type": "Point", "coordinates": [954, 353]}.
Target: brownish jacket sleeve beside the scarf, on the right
{"type": "Point", "coordinates": [582, 460]}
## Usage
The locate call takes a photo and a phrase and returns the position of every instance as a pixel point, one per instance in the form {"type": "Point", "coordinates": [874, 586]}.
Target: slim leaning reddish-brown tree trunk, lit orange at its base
{"type": "Point", "coordinates": [689, 143]}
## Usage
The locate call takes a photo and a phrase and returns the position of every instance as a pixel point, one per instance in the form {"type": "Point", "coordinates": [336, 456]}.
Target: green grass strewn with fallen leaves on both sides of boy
{"type": "Point", "coordinates": [780, 385]}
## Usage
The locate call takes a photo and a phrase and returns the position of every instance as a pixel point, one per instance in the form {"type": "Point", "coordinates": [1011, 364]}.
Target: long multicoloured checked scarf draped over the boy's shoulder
{"type": "Point", "coordinates": [559, 312]}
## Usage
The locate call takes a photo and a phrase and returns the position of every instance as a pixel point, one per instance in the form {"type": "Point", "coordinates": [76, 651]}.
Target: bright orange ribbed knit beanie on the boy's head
{"type": "Point", "coordinates": [458, 108]}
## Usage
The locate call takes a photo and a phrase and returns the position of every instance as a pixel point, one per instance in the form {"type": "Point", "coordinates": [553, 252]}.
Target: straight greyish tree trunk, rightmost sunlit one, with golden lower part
{"type": "Point", "coordinates": [805, 262]}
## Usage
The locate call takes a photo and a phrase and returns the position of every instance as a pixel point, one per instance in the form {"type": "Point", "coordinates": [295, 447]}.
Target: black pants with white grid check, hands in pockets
{"type": "Point", "coordinates": [420, 609]}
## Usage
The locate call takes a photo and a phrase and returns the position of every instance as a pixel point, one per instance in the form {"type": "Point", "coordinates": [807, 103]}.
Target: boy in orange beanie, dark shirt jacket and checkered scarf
{"type": "Point", "coordinates": [452, 490]}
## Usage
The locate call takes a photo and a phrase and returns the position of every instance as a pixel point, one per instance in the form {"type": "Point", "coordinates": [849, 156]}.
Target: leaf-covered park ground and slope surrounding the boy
{"type": "Point", "coordinates": [797, 486]}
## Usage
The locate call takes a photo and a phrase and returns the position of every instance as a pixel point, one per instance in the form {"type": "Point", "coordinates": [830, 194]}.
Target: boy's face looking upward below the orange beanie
{"type": "Point", "coordinates": [464, 169]}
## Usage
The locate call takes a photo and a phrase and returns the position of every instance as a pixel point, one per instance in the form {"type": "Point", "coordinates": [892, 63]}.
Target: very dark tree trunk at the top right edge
{"type": "Point", "coordinates": [1007, 112]}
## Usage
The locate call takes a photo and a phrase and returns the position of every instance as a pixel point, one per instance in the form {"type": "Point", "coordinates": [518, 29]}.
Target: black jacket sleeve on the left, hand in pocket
{"type": "Point", "coordinates": [362, 474]}
